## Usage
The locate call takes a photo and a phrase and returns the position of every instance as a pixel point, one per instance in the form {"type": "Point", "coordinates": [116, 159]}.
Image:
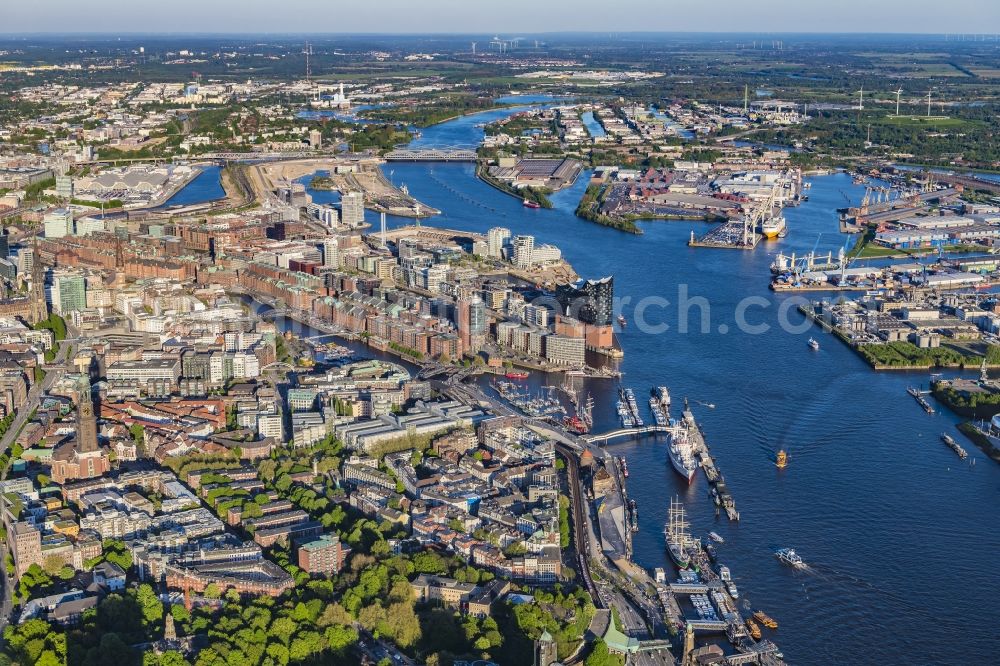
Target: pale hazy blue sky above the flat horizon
{"type": "Point", "coordinates": [508, 16]}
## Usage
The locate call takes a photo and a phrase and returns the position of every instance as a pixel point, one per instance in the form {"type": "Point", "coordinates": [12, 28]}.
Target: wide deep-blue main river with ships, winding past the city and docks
{"type": "Point", "coordinates": [898, 533]}
